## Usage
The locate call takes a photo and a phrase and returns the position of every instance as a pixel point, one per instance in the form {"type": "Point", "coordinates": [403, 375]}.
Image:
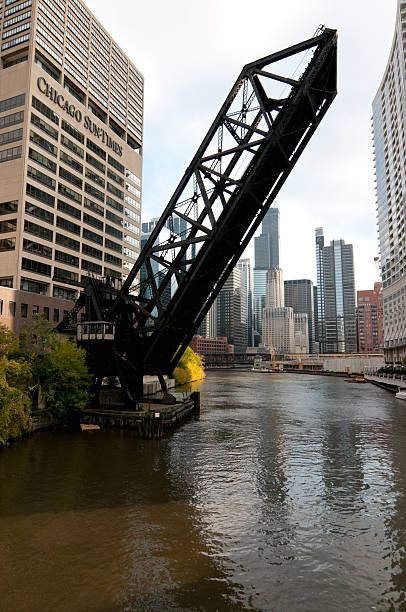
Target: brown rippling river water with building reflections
{"type": "Point", "coordinates": [286, 493]}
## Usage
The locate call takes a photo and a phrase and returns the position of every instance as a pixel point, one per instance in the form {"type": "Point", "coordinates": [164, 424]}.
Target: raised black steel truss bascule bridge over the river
{"type": "Point", "coordinates": [144, 326]}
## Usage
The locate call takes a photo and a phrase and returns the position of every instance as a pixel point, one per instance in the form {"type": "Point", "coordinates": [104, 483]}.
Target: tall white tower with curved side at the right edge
{"type": "Point", "coordinates": [389, 128]}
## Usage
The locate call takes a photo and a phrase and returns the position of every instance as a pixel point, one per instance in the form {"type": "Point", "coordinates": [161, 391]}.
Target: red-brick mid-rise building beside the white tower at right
{"type": "Point", "coordinates": [370, 320]}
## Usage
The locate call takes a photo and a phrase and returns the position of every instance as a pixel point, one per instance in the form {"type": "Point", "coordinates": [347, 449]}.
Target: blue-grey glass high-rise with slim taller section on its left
{"type": "Point", "coordinates": [336, 296]}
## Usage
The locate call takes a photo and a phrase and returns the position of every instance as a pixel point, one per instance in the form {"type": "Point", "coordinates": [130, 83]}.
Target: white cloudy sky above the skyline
{"type": "Point", "coordinates": [191, 51]}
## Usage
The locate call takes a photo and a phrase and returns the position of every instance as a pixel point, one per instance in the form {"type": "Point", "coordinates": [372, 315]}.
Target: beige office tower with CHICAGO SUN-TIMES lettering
{"type": "Point", "coordinates": [71, 121]}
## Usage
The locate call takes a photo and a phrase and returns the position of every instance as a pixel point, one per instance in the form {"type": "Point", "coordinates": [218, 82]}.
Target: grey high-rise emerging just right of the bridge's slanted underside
{"type": "Point", "coordinates": [231, 320]}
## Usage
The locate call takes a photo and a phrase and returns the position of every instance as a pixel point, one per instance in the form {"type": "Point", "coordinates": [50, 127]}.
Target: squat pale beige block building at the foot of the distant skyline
{"type": "Point", "coordinates": [278, 329]}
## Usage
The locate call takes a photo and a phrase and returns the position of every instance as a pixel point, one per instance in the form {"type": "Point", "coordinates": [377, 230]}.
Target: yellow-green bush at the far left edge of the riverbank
{"type": "Point", "coordinates": [15, 388]}
